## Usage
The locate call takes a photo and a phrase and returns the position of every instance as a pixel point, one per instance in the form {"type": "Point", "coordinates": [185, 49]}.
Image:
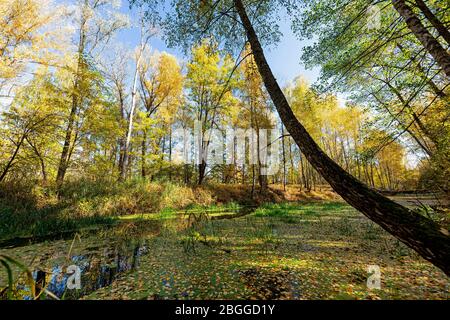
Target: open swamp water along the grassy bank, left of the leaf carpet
{"type": "Point", "coordinates": [73, 265]}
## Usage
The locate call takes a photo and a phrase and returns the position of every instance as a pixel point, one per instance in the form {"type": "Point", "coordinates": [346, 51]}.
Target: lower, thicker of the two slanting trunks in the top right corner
{"type": "Point", "coordinates": [440, 55]}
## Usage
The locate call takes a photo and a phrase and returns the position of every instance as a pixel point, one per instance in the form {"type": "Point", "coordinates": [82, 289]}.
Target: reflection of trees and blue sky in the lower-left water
{"type": "Point", "coordinates": [97, 259]}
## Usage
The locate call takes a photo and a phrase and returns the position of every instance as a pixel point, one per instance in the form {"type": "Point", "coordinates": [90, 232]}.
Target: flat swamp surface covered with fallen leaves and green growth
{"type": "Point", "coordinates": [296, 250]}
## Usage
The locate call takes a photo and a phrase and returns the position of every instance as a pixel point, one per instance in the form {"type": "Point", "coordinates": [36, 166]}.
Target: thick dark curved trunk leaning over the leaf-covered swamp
{"type": "Point", "coordinates": [413, 229]}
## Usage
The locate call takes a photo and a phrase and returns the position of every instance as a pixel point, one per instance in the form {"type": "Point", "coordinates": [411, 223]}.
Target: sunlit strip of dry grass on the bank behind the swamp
{"type": "Point", "coordinates": [33, 210]}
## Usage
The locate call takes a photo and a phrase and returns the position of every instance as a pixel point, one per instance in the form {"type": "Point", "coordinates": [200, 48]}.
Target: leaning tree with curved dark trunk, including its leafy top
{"type": "Point", "coordinates": [418, 232]}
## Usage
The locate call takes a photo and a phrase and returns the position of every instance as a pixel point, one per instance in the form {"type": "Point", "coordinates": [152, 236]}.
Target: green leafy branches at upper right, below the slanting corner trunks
{"type": "Point", "coordinates": [385, 69]}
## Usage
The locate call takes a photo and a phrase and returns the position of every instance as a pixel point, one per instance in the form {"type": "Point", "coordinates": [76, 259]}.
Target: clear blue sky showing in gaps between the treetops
{"type": "Point", "coordinates": [284, 58]}
